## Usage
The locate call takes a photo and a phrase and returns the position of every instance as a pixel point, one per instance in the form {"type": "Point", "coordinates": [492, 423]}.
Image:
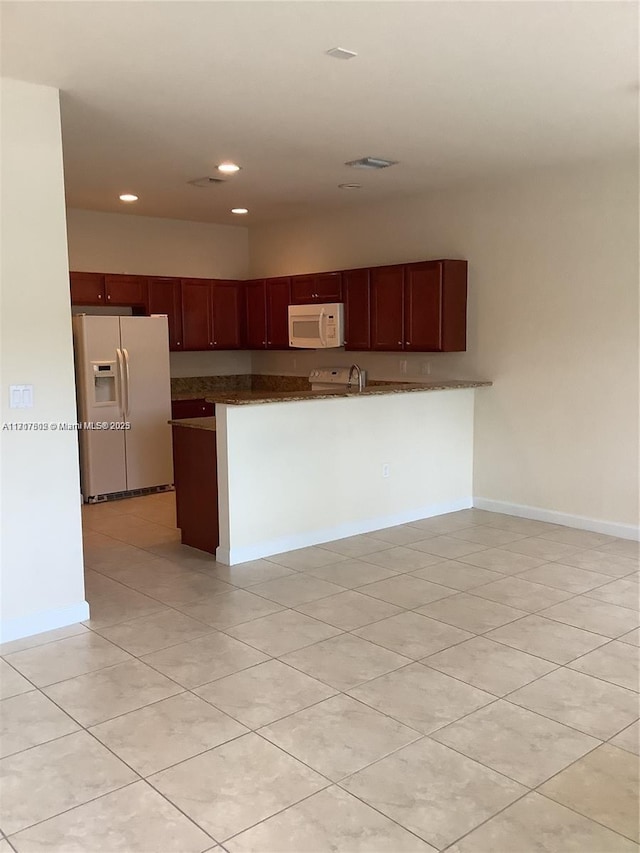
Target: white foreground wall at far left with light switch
{"type": "Point", "coordinates": [42, 582]}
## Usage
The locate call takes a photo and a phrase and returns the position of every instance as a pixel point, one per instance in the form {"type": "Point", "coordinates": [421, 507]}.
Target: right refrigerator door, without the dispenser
{"type": "Point", "coordinates": [147, 400]}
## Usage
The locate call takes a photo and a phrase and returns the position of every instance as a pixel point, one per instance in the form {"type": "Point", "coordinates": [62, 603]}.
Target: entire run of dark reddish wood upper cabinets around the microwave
{"type": "Point", "coordinates": [417, 307]}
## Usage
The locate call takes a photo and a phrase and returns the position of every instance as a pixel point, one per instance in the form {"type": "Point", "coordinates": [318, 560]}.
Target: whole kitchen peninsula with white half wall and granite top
{"type": "Point", "coordinates": [297, 468]}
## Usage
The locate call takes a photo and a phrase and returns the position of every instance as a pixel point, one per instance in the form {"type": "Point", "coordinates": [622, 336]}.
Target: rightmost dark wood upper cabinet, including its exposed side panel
{"type": "Point", "coordinates": [435, 306]}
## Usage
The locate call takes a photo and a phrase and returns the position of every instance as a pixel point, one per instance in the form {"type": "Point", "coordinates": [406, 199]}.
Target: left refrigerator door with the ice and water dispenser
{"type": "Point", "coordinates": [100, 388]}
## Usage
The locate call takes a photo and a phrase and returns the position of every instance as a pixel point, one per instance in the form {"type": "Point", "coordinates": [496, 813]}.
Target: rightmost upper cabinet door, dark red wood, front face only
{"type": "Point", "coordinates": [423, 307]}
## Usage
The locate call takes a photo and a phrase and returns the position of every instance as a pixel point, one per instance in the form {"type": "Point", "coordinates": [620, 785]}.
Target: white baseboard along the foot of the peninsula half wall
{"type": "Point", "coordinates": [232, 556]}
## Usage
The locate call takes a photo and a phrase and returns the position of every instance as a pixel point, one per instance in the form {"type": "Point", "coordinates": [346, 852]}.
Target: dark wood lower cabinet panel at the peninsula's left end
{"type": "Point", "coordinates": [195, 475]}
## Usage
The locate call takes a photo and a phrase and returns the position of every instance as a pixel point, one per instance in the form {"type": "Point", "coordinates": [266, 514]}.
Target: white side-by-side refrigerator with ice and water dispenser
{"type": "Point", "coordinates": [124, 404]}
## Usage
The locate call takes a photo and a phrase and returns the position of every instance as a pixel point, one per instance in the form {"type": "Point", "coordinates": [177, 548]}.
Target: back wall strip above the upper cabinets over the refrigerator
{"type": "Point", "coordinates": [144, 245]}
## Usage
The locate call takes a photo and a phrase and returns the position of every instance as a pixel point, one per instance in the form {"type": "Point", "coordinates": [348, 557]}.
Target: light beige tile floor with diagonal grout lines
{"type": "Point", "coordinates": [465, 683]}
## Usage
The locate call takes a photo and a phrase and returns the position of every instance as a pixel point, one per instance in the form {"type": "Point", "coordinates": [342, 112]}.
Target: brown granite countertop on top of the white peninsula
{"type": "Point", "coordinates": [243, 398]}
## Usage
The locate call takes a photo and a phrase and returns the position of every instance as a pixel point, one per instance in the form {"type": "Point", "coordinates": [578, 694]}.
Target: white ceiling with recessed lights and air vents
{"type": "Point", "coordinates": [155, 94]}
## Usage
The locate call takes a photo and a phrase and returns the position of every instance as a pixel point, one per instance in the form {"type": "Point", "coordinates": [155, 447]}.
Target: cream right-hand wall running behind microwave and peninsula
{"type": "Point", "coordinates": [553, 321]}
